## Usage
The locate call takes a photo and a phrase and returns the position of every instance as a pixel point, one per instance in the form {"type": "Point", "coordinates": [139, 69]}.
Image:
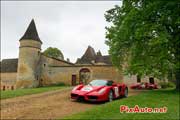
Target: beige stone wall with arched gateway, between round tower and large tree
{"type": "Point", "coordinates": [57, 74]}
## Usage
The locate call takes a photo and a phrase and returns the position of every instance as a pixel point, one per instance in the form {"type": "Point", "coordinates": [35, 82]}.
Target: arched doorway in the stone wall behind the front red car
{"type": "Point", "coordinates": [84, 75]}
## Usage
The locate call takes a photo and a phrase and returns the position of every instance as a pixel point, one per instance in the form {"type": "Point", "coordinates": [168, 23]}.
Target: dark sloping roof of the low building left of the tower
{"type": "Point", "coordinates": [9, 65]}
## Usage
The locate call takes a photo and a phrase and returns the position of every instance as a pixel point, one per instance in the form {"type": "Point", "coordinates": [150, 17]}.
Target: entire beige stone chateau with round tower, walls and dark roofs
{"type": "Point", "coordinates": [34, 69]}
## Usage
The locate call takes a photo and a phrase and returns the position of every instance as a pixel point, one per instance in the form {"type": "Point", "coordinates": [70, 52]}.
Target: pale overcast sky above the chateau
{"type": "Point", "coordinates": [67, 25]}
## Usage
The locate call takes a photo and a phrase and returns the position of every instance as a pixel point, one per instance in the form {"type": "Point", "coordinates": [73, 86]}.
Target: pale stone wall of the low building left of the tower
{"type": "Point", "coordinates": [8, 81]}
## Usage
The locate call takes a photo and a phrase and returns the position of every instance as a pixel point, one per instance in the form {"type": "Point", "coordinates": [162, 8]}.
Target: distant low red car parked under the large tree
{"type": "Point", "coordinates": [144, 85]}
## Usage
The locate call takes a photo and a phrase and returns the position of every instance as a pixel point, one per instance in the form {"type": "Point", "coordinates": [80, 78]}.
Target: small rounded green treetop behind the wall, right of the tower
{"type": "Point", "coordinates": [54, 52]}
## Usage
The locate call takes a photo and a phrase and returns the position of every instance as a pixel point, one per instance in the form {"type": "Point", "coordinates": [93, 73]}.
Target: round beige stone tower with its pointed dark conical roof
{"type": "Point", "coordinates": [28, 74]}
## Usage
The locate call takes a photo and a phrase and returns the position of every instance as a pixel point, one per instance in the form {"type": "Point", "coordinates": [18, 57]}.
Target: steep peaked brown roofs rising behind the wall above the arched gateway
{"type": "Point", "coordinates": [90, 57]}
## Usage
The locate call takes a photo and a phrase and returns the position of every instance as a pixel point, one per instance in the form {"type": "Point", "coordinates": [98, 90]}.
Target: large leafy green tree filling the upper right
{"type": "Point", "coordinates": [145, 34]}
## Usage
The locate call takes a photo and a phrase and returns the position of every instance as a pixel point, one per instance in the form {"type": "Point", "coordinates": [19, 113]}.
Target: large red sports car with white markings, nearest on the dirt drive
{"type": "Point", "coordinates": [99, 90]}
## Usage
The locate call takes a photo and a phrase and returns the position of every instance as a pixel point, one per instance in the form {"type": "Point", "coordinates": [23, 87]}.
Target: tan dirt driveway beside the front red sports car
{"type": "Point", "coordinates": [49, 105]}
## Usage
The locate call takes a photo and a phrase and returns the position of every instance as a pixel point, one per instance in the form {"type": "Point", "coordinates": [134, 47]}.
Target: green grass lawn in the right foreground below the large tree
{"type": "Point", "coordinates": [154, 98]}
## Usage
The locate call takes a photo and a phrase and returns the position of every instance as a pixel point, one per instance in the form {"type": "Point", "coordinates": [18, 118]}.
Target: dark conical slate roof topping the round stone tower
{"type": "Point", "coordinates": [31, 33]}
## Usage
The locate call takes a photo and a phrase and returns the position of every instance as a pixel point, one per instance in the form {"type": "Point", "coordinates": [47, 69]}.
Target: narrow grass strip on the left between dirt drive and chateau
{"type": "Point", "coordinates": [29, 91]}
